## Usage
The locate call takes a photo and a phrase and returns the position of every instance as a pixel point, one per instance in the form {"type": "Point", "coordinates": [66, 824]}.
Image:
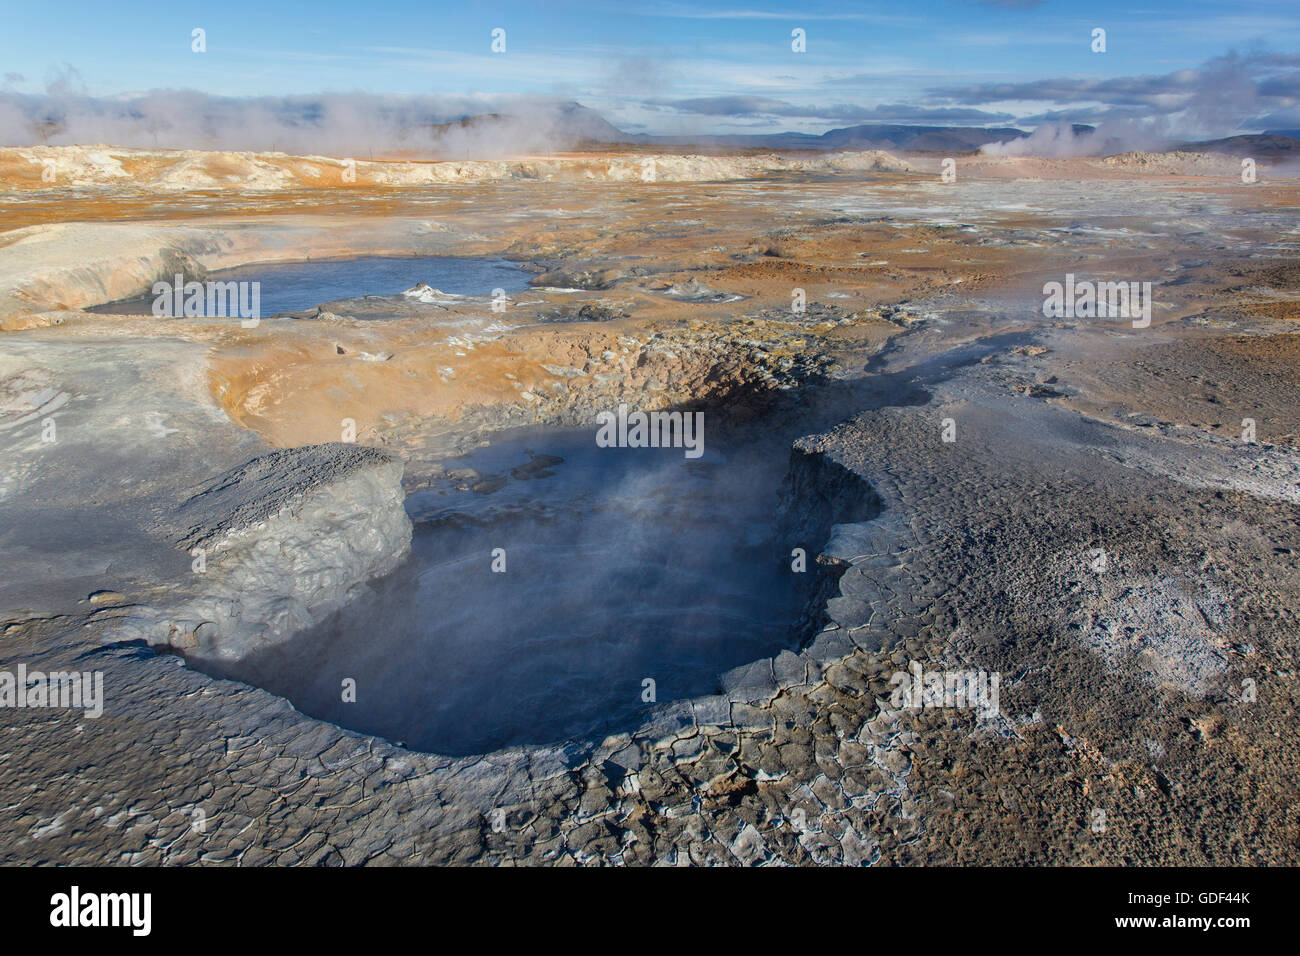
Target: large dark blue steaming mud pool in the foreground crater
{"type": "Point", "coordinates": [621, 566]}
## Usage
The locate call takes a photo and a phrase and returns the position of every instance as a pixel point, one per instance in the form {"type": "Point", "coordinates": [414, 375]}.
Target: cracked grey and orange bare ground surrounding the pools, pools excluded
{"type": "Point", "coordinates": [1149, 703]}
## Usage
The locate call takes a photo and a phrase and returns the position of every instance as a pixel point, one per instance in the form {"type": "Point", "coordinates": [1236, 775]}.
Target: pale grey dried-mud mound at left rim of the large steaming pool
{"type": "Point", "coordinates": [278, 546]}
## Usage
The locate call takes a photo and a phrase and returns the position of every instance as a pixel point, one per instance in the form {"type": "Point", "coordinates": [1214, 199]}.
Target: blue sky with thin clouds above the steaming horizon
{"type": "Point", "coordinates": [700, 67]}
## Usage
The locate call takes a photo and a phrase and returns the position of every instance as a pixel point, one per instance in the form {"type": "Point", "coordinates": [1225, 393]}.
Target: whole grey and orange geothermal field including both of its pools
{"type": "Point", "coordinates": [365, 590]}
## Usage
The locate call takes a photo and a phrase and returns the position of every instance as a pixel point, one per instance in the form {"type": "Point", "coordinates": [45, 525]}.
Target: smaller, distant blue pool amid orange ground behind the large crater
{"type": "Point", "coordinates": [298, 287]}
